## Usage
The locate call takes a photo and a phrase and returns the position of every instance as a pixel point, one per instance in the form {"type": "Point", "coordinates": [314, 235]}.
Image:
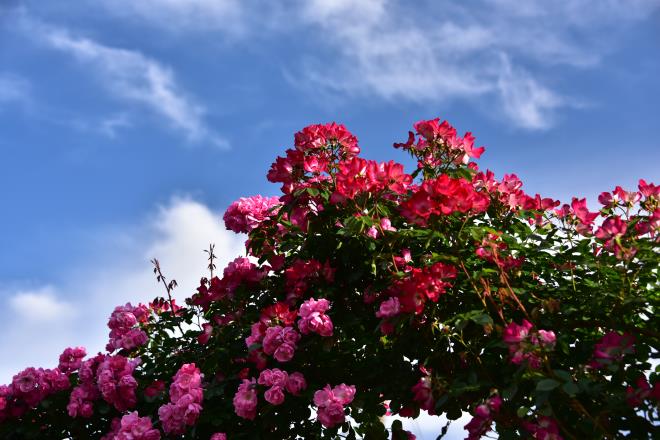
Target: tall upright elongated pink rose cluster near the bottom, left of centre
{"type": "Point", "coordinates": [186, 397]}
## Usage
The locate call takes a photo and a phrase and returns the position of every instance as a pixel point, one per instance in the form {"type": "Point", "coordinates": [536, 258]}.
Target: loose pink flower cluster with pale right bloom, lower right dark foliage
{"type": "Point", "coordinates": [525, 344]}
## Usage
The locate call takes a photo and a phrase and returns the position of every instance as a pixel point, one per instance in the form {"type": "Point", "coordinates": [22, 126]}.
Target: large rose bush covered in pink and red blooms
{"type": "Point", "coordinates": [370, 290]}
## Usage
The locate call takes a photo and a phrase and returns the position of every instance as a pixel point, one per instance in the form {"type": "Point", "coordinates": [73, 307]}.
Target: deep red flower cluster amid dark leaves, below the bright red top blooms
{"type": "Point", "coordinates": [422, 284]}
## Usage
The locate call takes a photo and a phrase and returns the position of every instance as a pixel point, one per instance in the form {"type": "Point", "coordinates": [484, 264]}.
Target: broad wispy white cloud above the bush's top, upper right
{"type": "Point", "coordinates": [388, 49]}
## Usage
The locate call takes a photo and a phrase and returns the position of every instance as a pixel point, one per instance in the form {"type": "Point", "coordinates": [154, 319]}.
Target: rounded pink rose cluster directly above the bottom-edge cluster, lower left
{"type": "Point", "coordinates": [115, 380]}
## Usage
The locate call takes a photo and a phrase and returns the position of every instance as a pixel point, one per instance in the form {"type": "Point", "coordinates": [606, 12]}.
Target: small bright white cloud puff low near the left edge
{"type": "Point", "coordinates": [40, 305]}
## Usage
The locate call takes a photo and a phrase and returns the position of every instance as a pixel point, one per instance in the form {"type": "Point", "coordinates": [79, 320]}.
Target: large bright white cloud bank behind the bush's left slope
{"type": "Point", "coordinates": [40, 323]}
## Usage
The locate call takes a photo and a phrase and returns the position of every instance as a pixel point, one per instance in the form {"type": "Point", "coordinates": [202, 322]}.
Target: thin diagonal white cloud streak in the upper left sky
{"type": "Point", "coordinates": [134, 77]}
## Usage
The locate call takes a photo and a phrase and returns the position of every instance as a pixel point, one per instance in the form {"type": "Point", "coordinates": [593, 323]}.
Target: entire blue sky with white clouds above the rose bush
{"type": "Point", "coordinates": [127, 127]}
